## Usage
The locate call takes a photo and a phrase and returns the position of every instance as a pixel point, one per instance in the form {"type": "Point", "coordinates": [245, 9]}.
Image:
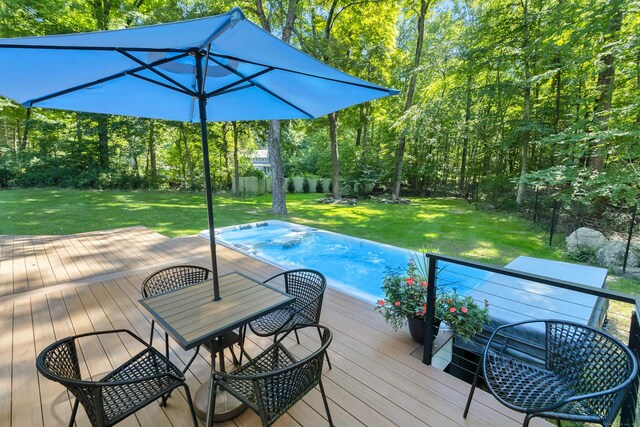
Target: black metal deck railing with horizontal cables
{"type": "Point", "coordinates": [614, 312]}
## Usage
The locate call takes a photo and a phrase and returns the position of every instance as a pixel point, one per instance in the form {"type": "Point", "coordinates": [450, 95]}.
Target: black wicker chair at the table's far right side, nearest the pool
{"type": "Point", "coordinates": [308, 287]}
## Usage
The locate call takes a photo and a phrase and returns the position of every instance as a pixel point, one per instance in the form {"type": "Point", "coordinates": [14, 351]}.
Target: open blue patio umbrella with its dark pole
{"type": "Point", "coordinates": [220, 68]}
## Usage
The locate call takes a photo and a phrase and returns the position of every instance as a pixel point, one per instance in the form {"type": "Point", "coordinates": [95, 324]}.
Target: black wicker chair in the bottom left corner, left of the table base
{"type": "Point", "coordinates": [144, 378]}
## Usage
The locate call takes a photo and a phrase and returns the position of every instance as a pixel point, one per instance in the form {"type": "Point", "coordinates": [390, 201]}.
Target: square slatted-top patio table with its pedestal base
{"type": "Point", "coordinates": [192, 317]}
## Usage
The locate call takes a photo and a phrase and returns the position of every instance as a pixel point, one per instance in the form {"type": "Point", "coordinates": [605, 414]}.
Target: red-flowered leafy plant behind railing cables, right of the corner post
{"type": "Point", "coordinates": [463, 315]}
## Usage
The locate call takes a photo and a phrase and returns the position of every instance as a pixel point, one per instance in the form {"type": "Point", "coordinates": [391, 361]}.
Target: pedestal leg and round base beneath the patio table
{"type": "Point", "coordinates": [227, 406]}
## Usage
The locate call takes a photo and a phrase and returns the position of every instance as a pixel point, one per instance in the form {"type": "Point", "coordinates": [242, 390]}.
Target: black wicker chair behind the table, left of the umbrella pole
{"type": "Point", "coordinates": [176, 277]}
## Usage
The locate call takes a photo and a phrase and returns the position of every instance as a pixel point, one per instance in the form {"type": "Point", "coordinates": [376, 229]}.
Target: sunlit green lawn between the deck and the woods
{"type": "Point", "coordinates": [451, 226]}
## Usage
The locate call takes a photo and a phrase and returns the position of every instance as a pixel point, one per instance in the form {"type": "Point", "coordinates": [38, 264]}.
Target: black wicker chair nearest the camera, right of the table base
{"type": "Point", "coordinates": [274, 381]}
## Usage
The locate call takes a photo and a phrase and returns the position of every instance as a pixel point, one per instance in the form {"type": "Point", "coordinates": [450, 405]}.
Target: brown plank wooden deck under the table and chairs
{"type": "Point", "coordinates": [55, 286]}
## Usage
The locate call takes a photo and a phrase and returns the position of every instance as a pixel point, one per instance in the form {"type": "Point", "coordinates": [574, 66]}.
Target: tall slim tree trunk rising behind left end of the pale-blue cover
{"type": "Point", "coordinates": [526, 108]}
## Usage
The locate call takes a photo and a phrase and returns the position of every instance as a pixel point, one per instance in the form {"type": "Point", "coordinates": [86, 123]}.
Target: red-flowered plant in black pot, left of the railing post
{"type": "Point", "coordinates": [406, 299]}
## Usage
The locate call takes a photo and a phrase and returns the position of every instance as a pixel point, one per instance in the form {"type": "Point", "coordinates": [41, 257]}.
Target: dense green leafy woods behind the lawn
{"type": "Point", "coordinates": [498, 98]}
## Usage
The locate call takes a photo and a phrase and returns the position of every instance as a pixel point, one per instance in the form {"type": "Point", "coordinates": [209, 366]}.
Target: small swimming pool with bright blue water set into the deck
{"type": "Point", "coordinates": [355, 266]}
